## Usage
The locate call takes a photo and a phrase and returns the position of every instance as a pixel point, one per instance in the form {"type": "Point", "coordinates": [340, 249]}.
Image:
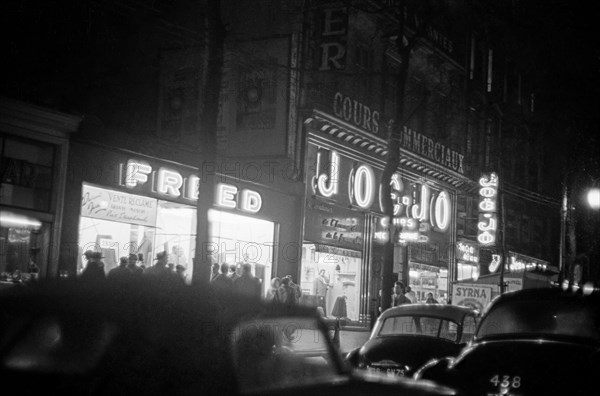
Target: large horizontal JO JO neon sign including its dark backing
{"type": "Point", "coordinates": [417, 207]}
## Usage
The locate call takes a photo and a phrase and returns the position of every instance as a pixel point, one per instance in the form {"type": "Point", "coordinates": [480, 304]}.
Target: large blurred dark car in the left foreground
{"type": "Point", "coordinates": [71, 337]}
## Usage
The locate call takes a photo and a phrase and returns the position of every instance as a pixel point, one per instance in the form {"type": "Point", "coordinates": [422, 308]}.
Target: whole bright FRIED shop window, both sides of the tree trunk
{"type": "Point", "coordinates": [118, 224]}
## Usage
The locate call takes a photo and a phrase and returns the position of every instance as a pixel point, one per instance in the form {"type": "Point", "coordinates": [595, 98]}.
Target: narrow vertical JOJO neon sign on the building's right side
{"type": "Point", "coordinates": [488, 219]}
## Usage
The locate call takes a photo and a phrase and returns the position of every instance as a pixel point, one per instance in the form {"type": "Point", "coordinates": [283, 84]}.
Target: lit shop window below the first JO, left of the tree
{"type": "Point", "coordinates": [331, 278]}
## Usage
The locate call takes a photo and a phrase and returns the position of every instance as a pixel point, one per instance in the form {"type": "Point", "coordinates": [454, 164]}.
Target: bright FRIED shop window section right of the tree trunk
{"type": "Point", "coordinates": [238, 239]}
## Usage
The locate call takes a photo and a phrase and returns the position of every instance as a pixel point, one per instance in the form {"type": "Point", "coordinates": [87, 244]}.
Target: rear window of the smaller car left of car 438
{"type": "Point", "coordinates": [419, 325]}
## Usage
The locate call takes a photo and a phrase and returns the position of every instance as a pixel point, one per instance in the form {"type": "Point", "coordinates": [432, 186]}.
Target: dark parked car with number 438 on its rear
{"type": "Point", "coordinates": [529, 342]}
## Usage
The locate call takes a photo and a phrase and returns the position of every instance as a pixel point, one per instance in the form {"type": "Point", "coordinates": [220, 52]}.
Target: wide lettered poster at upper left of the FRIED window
{"type": "Point", "coordinates": [104, 204]}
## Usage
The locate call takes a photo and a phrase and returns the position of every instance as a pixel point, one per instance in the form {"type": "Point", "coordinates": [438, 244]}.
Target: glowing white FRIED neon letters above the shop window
{"type": "Point", "coordinates": [170, 183]}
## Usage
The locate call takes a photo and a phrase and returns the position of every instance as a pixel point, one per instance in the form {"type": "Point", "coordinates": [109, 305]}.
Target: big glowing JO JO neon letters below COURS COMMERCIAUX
{"type": "Point", "coordinates": [410, 209]}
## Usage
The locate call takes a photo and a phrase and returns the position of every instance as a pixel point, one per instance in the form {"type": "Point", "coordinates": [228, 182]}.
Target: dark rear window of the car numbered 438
{"type": "Point", "coordinates": [553, 318]}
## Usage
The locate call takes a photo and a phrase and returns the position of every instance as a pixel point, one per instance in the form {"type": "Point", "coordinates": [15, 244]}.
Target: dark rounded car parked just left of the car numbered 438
{"type": "Point", "coordinates": [407, 336]}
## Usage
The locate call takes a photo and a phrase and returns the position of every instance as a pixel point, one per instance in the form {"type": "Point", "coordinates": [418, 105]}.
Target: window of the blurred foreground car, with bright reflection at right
{"type": "Point", "coordinates": [280, 352]}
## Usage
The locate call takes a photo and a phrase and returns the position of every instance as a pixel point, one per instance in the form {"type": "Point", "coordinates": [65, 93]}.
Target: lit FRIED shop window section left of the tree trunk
{"type": "Point", "coordinates": [118, 224]}
